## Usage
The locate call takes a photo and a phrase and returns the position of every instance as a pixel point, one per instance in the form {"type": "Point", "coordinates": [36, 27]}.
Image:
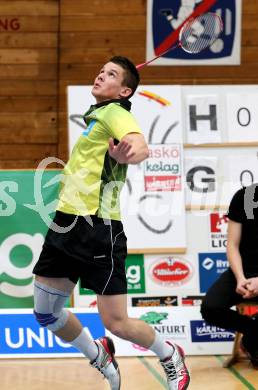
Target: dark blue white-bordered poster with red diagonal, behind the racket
{"type": "Point", "coordinates": [168, 22]}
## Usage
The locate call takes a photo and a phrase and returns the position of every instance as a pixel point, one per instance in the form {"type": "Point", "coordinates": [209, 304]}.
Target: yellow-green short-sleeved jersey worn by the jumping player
{"type": "Point", "coordinates": [92, 180]}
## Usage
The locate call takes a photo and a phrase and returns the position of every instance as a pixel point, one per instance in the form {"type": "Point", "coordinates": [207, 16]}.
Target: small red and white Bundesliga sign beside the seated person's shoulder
{"type": "Point", "coordinates": [218, 231]}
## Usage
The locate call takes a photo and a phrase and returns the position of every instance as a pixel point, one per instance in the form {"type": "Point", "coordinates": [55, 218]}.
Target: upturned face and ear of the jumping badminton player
{"type": "Point", "coordinates": [109, 83]}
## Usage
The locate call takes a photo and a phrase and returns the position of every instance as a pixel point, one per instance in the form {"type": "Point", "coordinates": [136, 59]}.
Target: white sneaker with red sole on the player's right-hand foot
{"type": "Point", "coordinates": [178, 377]}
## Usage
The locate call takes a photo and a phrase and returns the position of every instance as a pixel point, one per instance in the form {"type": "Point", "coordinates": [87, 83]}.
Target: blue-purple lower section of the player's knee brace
{"type": "Point", "coordinates": [52, 321]}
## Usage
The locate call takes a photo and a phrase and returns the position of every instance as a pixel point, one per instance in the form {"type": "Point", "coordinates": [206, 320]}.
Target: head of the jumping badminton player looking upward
{"type": "Point", "coordinates": [117, 79]}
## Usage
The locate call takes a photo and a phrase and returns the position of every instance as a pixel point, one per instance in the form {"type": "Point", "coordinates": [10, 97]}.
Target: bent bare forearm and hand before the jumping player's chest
{"type": "Point", "coordinates": [132, 149]}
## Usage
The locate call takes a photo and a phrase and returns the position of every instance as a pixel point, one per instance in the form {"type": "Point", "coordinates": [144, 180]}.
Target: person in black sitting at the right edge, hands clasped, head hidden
{"type": "Point", "coordinates": [240, 282]}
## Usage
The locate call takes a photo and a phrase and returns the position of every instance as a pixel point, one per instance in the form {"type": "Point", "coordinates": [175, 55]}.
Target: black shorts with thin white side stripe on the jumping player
{"type": "Point", "coordinates": [94, 254]}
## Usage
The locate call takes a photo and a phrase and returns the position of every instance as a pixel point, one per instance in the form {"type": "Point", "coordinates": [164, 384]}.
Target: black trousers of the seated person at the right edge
{"type": "Point", "coordinates": [216, 305]}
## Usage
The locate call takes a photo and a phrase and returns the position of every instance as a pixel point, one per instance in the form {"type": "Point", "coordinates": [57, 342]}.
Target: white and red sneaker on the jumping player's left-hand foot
{"type": "Point", "coordinates": [106, 363]}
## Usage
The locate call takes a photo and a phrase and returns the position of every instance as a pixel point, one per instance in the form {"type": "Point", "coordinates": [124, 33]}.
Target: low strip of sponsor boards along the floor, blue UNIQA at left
{"type": "Point", "coordinates": [22, 337]}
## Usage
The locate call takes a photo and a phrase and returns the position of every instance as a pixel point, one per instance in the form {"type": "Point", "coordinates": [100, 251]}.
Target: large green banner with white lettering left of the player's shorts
{"type": "Point", "coordinates": [27, 202]}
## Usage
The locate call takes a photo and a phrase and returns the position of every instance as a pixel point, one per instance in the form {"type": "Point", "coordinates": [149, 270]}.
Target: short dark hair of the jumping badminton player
{"type": "Point", "coordinates": [132, 77]}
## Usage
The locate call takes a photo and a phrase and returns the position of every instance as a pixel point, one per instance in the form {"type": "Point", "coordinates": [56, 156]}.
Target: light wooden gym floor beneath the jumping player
{"type": "Point", "coordinates": [137, 373]}
